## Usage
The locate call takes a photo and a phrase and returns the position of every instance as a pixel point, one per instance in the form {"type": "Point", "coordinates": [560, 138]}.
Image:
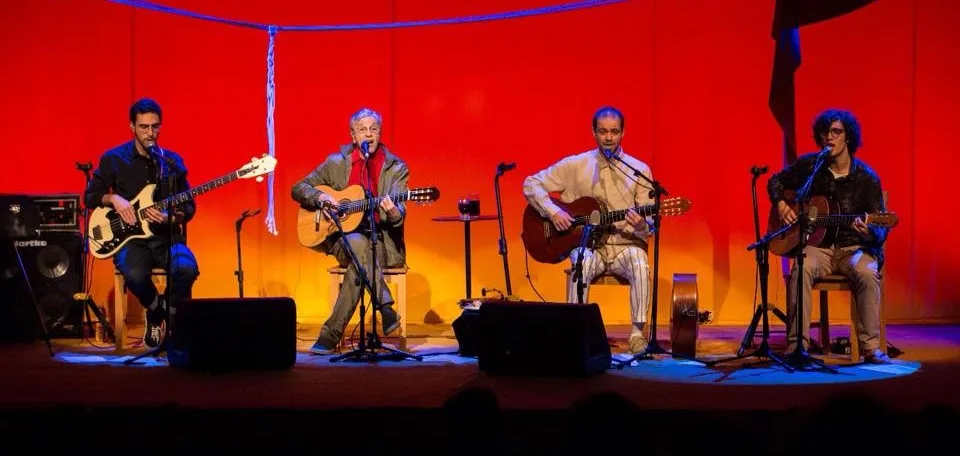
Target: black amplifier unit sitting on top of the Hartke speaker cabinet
{"type": "Point", "coordinates": [23, 216]}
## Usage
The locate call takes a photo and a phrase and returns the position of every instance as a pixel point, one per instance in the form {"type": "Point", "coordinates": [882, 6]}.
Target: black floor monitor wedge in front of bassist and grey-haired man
{"type": "Point", "coordinates": [227, 334]}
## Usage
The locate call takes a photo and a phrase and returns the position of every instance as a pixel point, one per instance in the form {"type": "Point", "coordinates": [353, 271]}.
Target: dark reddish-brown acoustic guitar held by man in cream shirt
{"type": "Point", "coordinates": [547, 245]}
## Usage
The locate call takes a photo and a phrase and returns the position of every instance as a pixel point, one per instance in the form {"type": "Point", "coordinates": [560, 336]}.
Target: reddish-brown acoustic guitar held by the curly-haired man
{"type": "Point", "coordinates": [825, 226]}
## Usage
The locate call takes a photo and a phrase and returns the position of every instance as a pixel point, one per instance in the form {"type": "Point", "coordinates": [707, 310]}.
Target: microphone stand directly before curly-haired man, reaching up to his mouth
{"type": "Point", "coordinates": [799, 358]}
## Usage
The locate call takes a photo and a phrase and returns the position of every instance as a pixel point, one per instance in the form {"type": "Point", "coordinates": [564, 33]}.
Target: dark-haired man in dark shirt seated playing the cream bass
{"type": "Point", "coordinates": [122, 173]}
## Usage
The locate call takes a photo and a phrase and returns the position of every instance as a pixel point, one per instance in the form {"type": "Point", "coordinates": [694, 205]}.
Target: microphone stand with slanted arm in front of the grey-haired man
{"type": "Point", "coordinates": [374, 344]}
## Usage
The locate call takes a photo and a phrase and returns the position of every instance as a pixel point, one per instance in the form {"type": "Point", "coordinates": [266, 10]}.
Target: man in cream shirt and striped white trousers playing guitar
{"type": "Point", "coordinates": [622, 247]}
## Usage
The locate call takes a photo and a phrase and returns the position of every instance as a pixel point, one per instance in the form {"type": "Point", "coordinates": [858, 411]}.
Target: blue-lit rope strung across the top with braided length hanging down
{"type": "Point", "coordinates": [272, 30]}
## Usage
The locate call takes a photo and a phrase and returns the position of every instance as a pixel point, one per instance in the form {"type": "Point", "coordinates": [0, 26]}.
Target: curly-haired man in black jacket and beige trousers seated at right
{"type": "Point", "coordinates": [855, 250]}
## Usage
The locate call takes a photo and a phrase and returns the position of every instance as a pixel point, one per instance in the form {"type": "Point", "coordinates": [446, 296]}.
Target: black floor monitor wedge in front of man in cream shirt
{"type": "Point", "coordinates": [545, 339]}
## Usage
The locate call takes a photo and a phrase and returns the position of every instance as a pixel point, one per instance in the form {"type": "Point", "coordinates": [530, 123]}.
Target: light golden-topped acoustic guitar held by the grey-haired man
{"type": "Point", "coordinates": [313, 225]}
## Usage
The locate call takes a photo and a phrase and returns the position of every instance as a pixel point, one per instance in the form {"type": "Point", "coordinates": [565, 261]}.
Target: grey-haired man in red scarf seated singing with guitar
{"type": "Point", "coordinates": [367, 163]}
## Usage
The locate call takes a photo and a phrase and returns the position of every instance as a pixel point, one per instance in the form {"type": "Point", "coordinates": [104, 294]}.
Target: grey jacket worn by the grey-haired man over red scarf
{"type": "Point", "coordinates": [335, 172]}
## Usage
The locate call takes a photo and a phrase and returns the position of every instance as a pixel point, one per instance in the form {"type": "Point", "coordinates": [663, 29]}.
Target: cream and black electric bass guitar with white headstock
{"type": "Point", "coordinates": [108, 233]}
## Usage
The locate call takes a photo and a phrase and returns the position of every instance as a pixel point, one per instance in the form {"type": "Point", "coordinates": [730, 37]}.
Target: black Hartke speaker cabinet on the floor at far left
{"type": "Point", "coordinates": [51, 262]}
